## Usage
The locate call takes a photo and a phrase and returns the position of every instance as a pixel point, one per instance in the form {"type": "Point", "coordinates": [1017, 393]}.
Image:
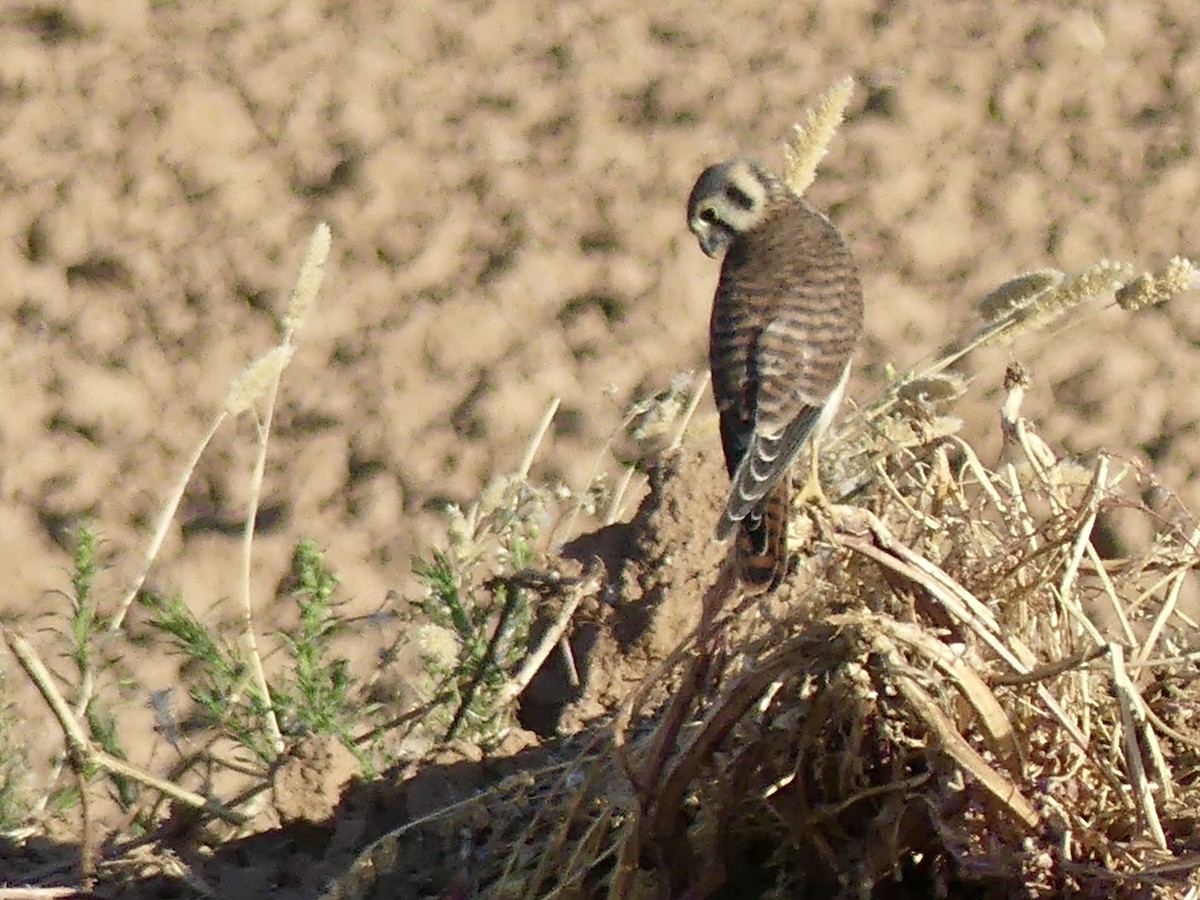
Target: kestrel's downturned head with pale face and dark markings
{"type": "Point", "coordinates": [729, 200]}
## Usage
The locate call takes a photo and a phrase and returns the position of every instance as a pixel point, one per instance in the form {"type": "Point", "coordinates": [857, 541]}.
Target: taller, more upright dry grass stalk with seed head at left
{"type": "Point", "coordinates": [301, 303]}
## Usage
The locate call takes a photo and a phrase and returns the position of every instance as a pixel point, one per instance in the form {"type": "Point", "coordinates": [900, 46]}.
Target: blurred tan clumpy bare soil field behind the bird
{"type": "Point", "coordinates": [506, 185]}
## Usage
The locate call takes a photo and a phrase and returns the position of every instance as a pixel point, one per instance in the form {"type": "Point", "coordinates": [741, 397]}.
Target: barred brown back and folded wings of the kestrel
{"type": "Point", "coordinates": [788, 315]}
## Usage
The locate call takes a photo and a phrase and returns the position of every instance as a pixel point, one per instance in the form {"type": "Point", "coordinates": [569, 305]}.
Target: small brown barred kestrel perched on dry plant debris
{"type": "Point", "coordinates": [788, 314]}
